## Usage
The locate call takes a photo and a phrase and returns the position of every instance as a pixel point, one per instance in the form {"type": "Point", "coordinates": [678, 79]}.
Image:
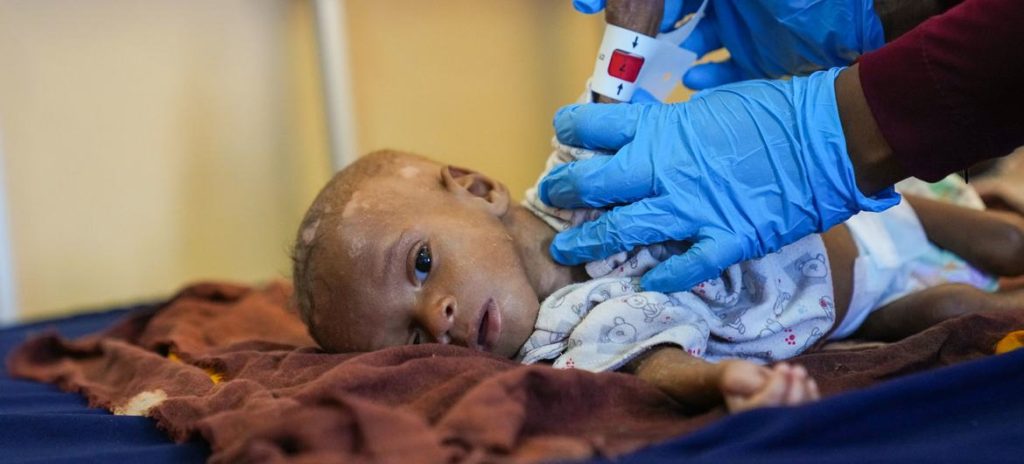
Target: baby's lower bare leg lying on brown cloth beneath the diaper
{"type": "Point", "coordinates": [920, 311]}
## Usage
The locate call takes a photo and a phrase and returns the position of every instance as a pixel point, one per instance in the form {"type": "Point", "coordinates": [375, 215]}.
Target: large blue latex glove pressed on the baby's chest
{"type": "Point", "coordinates": [740, 172]}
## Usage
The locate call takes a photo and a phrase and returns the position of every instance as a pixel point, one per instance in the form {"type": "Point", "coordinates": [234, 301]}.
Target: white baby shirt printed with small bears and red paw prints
{"type": "Point", "coordinates": [762, 311]}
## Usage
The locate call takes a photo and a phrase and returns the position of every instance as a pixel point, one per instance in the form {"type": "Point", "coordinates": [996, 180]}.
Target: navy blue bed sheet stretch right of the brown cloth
{"type": "Point", "coordinates": [970, 413]}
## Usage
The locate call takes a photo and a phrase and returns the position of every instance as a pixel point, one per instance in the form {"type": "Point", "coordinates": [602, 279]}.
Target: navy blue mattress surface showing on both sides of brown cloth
{"type": "Point", "coordinates": [968, 413]}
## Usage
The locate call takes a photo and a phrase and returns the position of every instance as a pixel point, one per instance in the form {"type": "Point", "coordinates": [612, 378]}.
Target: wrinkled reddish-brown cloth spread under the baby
{"type": "Point", "coordinates": [282, 400]}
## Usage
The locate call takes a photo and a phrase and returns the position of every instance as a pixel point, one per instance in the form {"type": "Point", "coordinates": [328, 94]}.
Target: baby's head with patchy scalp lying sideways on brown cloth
{"type": "Point", "coordinates": [398, 249]}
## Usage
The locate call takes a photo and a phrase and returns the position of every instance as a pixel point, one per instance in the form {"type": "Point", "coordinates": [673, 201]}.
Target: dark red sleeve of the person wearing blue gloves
{"type": "Point", "coordinates": [951, 93]}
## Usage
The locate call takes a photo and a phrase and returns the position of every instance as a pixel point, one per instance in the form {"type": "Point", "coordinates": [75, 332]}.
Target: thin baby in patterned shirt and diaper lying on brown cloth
{"type": "Point", "coordinates": [398, 250]}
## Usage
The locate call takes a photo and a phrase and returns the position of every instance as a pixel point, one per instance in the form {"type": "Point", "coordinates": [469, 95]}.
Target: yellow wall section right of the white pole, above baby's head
{"type": "Point", "coordinates": [474, 83]}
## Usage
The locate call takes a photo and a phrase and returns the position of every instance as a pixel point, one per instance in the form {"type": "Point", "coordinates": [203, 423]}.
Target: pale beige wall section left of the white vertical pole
{"type": "Point", "coordinates": [151, 144]}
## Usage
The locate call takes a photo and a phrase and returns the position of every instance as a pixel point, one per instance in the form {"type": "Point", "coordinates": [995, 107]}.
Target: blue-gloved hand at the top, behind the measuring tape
{"type": "Point", "coordinates": [772, 38]}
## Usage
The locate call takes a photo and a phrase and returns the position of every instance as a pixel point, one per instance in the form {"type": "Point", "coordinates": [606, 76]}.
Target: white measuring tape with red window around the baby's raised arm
{"type": "Point", "coordinates": [628, 61]}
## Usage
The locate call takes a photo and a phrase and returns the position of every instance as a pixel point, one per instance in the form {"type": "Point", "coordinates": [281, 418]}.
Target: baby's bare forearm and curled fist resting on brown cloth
{"type": "Point", "coordinates": [740, 385]}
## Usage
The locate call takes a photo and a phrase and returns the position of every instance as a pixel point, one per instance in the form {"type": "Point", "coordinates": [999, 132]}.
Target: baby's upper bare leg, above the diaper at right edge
{"type": "Point", "coordinates": [992, 241]}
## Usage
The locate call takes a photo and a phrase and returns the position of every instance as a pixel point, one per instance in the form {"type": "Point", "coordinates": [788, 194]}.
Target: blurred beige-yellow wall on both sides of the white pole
{"type": "Point", "coordinates": [150, 144]}
